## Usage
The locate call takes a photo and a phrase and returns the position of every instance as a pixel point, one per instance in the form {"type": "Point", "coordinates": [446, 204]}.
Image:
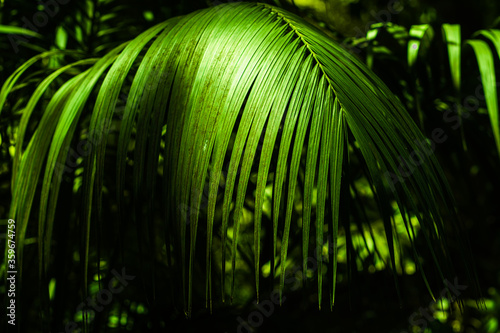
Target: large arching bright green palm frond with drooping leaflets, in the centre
{"type": "Point", "coordinates": [253, 84]}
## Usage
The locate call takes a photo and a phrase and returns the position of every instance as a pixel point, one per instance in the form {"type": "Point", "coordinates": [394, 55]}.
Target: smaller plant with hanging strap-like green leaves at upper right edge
{"type": "Point", "coordinates": [412, 51]}
